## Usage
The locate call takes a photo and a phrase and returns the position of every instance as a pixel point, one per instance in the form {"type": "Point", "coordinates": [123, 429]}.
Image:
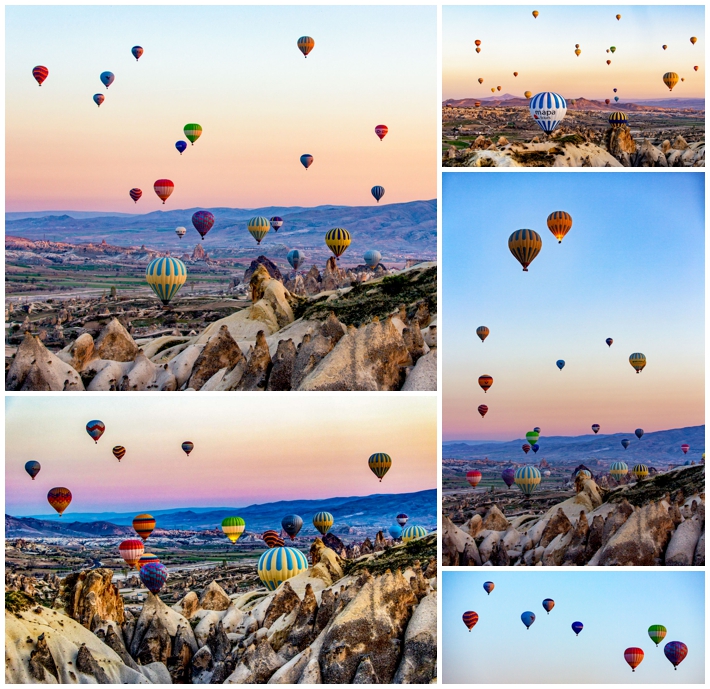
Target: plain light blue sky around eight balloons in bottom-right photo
{"type": "Point", "coordinates": [616, 609]}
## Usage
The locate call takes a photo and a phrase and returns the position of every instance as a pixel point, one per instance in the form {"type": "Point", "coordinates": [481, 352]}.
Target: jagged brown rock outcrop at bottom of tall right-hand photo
{"type": "Point", "coordinates": [656, 521]}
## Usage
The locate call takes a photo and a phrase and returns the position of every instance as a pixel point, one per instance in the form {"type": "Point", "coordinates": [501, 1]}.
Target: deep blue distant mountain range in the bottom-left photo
{"type": "Point", "coordinates": [371, 511]}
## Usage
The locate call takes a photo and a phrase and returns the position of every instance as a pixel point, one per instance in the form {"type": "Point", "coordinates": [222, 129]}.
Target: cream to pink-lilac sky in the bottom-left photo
{"type": "Point", "coordinates": [248, 449]}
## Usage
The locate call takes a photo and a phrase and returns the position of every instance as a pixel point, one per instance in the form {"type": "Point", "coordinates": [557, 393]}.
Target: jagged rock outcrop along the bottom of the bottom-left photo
{"type": "Point", "coordinates": [371, 620]}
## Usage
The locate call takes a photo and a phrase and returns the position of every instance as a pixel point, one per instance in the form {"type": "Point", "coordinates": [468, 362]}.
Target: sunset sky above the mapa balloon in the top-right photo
{"type": "Point", "coordinates": [542, 50]}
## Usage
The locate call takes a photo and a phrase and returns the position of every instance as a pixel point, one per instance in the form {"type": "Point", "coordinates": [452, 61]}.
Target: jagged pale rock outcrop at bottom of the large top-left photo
{"type": "Point", "coordinates": [378, 335]}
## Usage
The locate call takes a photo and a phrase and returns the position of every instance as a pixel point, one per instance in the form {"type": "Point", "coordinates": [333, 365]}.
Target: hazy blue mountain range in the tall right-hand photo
{"type": "Point", "coordinates": [660, 447]}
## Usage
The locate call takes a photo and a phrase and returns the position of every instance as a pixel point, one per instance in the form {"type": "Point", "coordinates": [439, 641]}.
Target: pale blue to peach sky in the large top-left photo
{"type": "Point", "coordinates": [236, 71]}
